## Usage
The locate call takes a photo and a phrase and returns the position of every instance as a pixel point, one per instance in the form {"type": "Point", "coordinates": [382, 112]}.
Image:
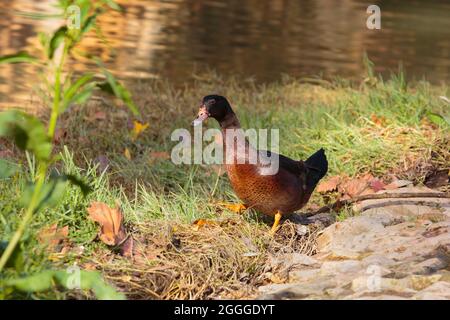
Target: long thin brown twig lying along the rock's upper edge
{"type": "Point", "coordinates": [340, 203]}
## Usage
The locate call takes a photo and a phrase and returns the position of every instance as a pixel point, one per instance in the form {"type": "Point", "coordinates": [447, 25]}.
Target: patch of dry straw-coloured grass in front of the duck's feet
{"type": "Point", "coordinates": [228, 258]}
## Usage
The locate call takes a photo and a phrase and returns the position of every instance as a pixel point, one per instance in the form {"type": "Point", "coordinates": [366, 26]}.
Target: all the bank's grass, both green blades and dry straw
{"type": "Point", "coordinates": [381, 128]}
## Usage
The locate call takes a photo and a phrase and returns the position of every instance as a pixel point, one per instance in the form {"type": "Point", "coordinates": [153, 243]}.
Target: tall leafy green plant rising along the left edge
{"type": "Point", "coordinates": [29, 133]}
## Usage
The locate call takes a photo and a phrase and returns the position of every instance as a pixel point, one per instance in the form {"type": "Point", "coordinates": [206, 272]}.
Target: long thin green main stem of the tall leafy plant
{"type": "Point", "coordinates": [43, 166]}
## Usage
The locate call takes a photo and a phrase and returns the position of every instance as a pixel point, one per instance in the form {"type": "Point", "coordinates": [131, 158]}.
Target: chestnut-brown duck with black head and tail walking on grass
{"type": "Point", "coordinates": [276, 194]}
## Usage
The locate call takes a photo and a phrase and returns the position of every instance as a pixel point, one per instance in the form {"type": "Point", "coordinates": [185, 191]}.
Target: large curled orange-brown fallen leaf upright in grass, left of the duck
{"type": "Point", "coordinates": [112, 231]}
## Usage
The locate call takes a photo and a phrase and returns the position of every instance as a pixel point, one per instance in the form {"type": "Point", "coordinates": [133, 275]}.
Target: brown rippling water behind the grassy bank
{"type": "Point", "coordinates": [250, 38]}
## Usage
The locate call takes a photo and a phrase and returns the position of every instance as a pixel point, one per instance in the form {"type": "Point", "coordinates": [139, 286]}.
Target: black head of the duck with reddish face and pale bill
{"type": "Point", "coordinates": [217, 107]}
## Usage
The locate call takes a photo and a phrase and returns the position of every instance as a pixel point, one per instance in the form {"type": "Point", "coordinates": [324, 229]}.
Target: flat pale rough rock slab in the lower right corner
{"type": "Point", "coordinates": [394, 249]}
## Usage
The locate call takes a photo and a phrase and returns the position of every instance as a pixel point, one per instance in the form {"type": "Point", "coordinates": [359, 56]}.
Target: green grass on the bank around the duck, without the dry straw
{"type": "Point", "coordinates": [336, 116]}
